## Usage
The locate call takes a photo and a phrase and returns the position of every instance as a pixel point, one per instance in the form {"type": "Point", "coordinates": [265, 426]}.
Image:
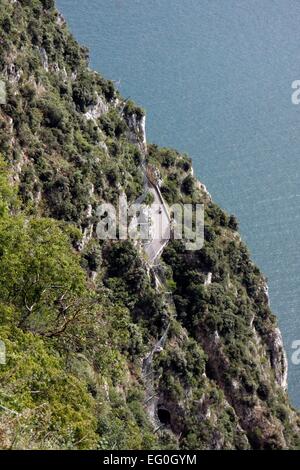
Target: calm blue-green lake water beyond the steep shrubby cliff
{"type": "Point", "coordinates": [215, 79]}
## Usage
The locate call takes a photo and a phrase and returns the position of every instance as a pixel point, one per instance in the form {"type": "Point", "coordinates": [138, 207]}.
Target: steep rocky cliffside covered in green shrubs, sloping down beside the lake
{"type": "Point", "coordinates": [198, 357]}
